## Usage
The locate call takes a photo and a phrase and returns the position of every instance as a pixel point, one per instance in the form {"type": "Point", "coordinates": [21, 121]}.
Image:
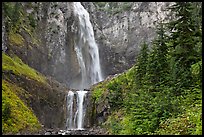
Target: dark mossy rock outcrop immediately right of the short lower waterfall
{"type": "Point", "coordinates": [98, 107]}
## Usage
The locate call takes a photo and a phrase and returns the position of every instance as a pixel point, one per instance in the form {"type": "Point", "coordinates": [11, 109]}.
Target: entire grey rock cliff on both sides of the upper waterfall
{"type": "Point", "coordinates": [118, 35]}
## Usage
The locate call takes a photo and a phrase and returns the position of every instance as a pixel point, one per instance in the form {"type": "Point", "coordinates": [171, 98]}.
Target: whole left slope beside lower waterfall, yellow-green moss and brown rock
{"type": "Point", "coordinates": [29, 99]}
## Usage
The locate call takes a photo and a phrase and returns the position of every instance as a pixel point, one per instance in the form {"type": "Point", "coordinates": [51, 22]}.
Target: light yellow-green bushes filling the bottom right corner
{"type": "Point", "coordinates": [189, 123]}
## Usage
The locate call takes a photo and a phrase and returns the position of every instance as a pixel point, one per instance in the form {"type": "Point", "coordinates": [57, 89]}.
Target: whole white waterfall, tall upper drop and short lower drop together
{"type": "Point", "coordinates": [90, 71]}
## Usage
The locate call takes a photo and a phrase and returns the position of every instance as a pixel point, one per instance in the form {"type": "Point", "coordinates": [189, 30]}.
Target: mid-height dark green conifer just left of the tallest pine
{"type": "Point", "coordinates": [157, 64]}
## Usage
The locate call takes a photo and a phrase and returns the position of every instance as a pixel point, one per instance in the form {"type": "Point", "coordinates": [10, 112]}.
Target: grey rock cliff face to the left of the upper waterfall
{"type": "Point", "coordinates": [49, 48]}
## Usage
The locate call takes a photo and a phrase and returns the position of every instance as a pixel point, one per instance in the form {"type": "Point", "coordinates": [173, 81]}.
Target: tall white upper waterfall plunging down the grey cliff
{"type": "Point", "coordinates": [86, 50]}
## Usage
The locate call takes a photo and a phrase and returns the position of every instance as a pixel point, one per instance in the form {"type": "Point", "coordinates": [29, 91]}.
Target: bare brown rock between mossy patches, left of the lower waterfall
{"type": "Point", "coordinates": [46, 100]}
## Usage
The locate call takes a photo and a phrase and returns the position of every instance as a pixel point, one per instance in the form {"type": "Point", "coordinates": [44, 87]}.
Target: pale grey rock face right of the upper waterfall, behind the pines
{"type": "Point", "coordinates": [119, 34]}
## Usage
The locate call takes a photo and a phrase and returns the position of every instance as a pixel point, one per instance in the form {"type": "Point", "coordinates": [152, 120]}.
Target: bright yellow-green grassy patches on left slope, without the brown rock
{"type": "Point", "coordinates": [16, 116]}
